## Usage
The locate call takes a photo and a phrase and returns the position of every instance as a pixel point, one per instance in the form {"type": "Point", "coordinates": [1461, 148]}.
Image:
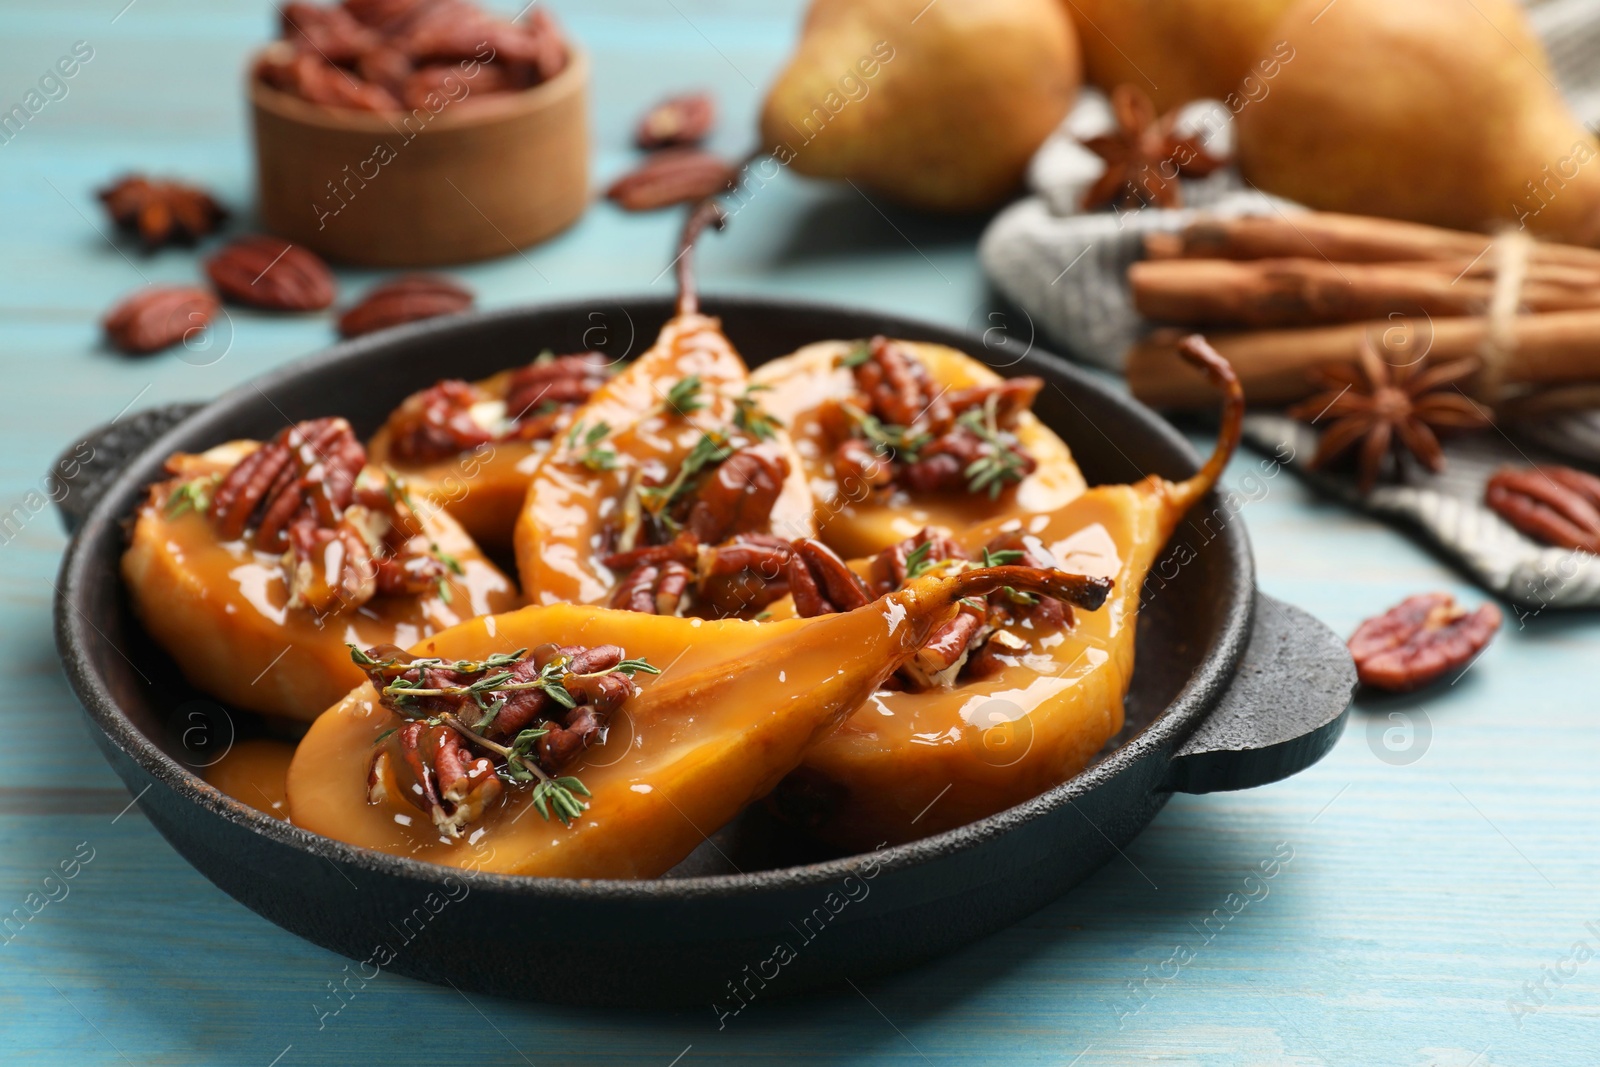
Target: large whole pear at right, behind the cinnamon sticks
{"type": "Point", "coordinates": [1433, 111]}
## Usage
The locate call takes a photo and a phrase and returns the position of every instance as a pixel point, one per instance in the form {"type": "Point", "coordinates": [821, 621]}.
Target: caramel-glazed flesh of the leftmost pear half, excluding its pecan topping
{"type": "Point", "coordinates": [220, 609]}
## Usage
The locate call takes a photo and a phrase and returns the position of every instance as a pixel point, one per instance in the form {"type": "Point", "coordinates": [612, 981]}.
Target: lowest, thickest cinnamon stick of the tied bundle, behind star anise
{"type": "Point", "coordinates": [1550, 350]}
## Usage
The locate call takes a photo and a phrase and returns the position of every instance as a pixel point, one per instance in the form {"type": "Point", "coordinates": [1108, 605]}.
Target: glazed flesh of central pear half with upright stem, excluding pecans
{"type": "Point", "coordinates": [570, 508]}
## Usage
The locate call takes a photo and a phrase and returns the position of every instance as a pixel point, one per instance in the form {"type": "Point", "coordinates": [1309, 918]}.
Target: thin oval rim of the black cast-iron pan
{"type": "Point", "coordinates": [1170, 727]}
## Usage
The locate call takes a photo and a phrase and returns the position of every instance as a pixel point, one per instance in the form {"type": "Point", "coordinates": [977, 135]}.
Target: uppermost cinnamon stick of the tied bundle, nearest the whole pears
{"type": "Point", "coordinates": [1342, 239]}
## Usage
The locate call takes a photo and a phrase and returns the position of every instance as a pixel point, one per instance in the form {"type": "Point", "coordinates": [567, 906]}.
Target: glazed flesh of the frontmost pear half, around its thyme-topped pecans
{"type": "Point", "coordinates": [732, 713]}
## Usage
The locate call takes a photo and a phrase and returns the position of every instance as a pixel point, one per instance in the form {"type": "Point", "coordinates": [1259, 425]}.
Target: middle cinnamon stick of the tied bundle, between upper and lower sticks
{"type": "Point", "coordinates": [1305, 292]}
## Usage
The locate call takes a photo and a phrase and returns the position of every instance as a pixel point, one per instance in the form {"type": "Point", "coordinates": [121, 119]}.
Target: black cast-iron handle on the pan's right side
{"type": "Point", "coordinates": [1284, 711]}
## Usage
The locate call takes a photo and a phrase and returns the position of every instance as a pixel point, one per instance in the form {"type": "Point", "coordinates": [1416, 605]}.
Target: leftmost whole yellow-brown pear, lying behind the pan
{"type": "Point", "coordinates": [935, 105]}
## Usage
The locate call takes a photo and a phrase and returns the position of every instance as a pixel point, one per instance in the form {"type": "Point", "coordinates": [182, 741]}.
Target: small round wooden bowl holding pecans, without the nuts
{"type": "Point", "coordinates": [417, 190]}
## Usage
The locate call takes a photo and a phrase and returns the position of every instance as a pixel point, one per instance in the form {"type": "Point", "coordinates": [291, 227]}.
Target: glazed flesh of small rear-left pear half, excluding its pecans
{"type": "Point", "coordinates": [482, 487]}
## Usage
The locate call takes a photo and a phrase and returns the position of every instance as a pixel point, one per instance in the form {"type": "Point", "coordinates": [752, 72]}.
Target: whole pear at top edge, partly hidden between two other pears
{"type": "Point", "coordinates": [1175, 50]}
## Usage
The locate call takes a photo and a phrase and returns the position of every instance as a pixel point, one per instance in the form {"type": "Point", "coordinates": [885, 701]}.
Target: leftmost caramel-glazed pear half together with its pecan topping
{"type": "Point", "coordinates": [255, 562]}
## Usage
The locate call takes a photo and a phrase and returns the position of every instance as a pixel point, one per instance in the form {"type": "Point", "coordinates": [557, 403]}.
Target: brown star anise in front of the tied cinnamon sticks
{"type": "Point", "coordinates": [1377, 407]}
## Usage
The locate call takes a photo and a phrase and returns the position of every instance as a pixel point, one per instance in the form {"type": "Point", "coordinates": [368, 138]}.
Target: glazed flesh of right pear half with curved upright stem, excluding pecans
{"type": "Point", "coordinates": [988, 745]}
